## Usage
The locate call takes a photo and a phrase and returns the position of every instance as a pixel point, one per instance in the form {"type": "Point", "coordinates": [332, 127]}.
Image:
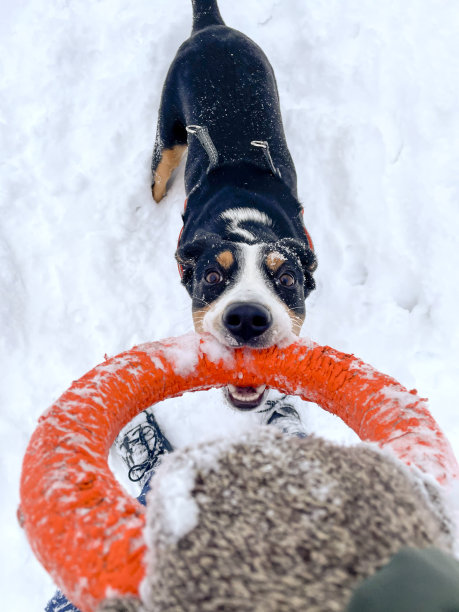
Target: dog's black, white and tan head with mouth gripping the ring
{"type": "Point", "coordinates": [247, 294]}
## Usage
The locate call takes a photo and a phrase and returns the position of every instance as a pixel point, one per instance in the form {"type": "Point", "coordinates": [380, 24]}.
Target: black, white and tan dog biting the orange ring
{"type": "Point", "coordinates": [244, 254]}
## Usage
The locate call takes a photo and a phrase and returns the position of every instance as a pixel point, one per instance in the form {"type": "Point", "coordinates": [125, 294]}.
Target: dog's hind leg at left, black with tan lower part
{"type": "Point", "coordinates": [171, 140]}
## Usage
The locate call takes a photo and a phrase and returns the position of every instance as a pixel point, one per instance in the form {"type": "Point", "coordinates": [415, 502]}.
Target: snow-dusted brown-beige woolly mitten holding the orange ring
{"type": "Point", "coordinates": [280, 524]}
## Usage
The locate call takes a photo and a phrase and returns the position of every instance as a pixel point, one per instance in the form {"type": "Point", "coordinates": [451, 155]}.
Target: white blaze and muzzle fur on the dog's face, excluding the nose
{"type": "Point", "coordinates": [250, 286]}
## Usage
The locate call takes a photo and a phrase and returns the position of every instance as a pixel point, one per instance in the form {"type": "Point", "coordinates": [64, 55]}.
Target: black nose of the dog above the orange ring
{"type": "Point", "coordinates": [245, 320]}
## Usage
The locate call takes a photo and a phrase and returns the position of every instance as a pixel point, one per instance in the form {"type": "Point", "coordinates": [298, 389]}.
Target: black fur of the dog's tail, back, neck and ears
{"type": "Point", "coordinates": [222, 82]}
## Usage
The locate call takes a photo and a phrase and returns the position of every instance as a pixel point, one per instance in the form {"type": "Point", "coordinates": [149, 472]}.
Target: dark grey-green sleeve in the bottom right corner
{"type": "Point", "coordinates": [413, 581]}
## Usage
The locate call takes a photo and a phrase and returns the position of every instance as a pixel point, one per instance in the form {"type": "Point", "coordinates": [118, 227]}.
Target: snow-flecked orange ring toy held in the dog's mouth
{"type": "Point", "coordinates": [82, 526]}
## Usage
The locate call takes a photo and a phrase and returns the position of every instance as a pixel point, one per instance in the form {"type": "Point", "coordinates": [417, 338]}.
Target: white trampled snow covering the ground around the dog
{"type": "Point", "coordinates": [369, 92]}
